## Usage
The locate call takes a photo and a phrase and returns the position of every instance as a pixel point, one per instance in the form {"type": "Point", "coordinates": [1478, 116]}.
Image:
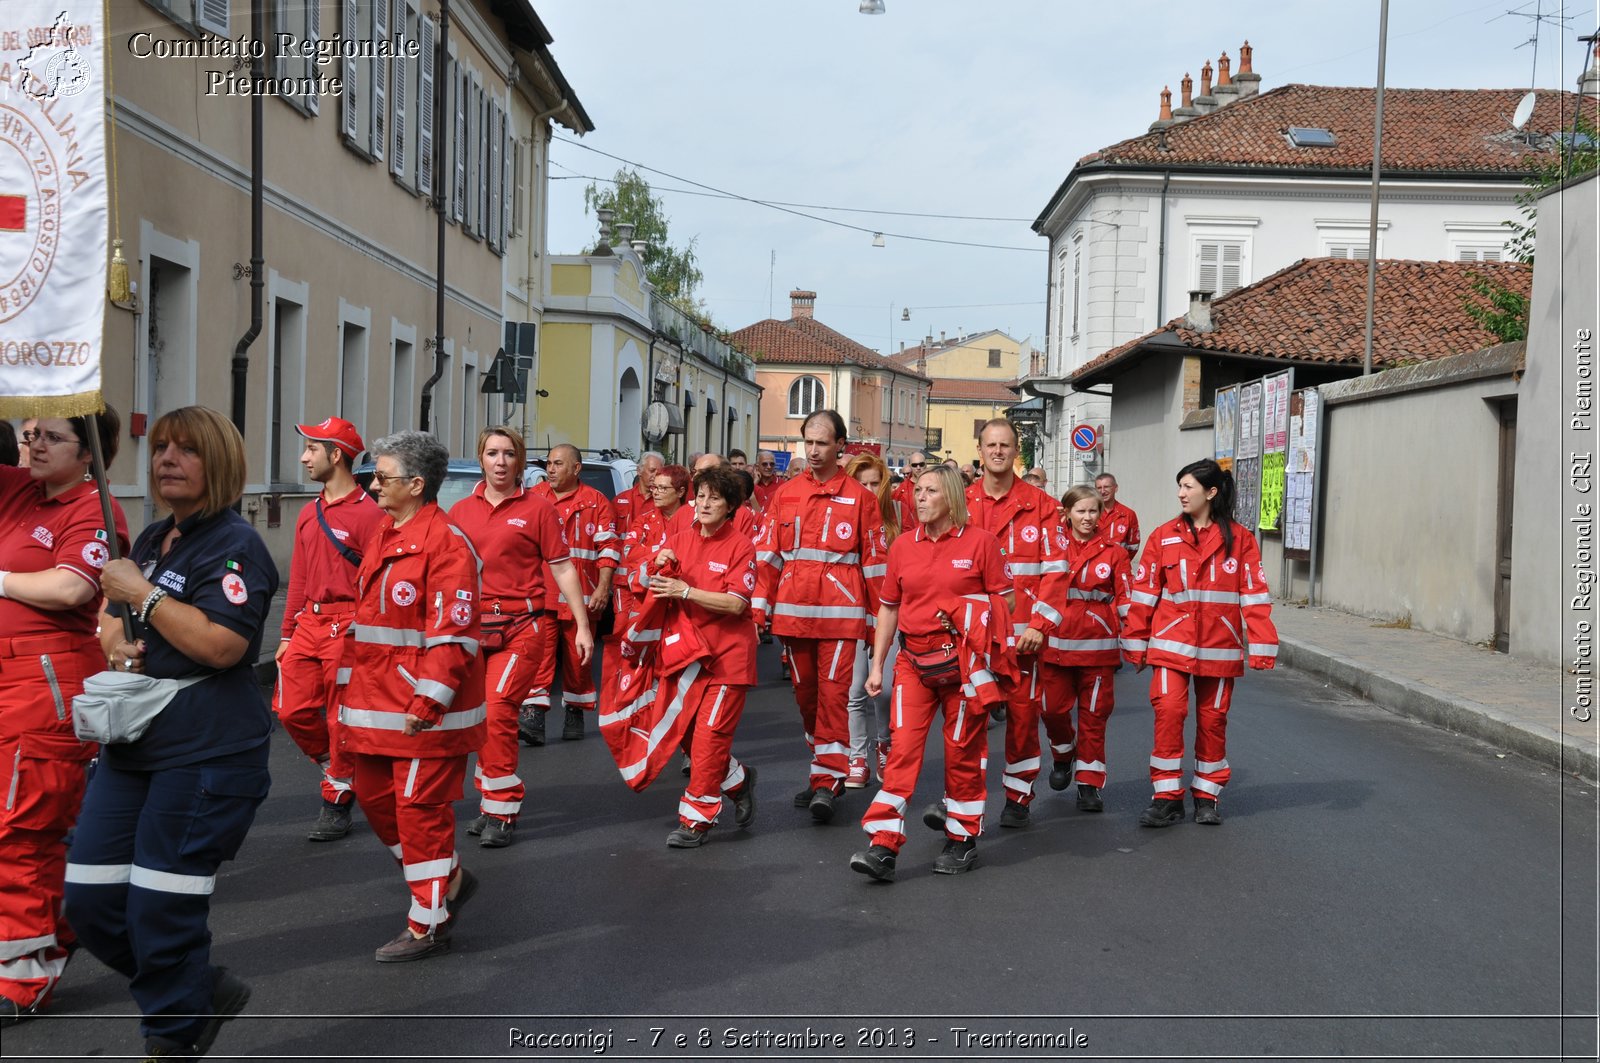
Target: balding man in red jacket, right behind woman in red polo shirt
{"type": "Point", "coordinates": [590, 527]}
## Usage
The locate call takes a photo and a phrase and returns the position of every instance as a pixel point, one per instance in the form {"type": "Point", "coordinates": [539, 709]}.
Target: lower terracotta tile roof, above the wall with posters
{"type": "Point", "coordinates": [1316, 311]}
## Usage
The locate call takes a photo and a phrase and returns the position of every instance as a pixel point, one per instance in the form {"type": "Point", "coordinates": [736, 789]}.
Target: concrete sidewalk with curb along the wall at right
{"type": "Point", "coordinates": [1468, 689]}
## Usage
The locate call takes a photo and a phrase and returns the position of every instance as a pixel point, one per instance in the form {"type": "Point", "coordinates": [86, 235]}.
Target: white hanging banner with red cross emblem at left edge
{"type": "Point", "coordinates": [54, 244]}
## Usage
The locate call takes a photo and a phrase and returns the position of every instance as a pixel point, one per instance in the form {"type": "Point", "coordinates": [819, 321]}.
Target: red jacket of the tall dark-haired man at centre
{"type": "Point", "coordinates": [822, 560]}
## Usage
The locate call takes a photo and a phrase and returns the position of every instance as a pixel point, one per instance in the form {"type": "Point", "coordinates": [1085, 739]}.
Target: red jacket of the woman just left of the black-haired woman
{"type": "Point", "coordinates": [1081, 608]}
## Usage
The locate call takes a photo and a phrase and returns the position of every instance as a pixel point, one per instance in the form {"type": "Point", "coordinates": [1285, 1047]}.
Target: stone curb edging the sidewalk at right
{"type": "Point", "coordinates": [1420, 702]}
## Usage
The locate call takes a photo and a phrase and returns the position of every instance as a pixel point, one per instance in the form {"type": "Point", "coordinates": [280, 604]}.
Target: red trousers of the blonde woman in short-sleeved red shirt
{"type": "Point", "coordinates": [913, 708]}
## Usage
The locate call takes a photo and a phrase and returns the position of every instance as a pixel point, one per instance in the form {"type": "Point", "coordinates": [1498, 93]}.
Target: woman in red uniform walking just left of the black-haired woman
{"type": "Point", "coordinates": [1074, 632]}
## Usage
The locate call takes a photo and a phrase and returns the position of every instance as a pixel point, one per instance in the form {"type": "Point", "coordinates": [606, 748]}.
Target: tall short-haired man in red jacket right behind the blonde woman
{"type": "Point", "coordinates": [1026, 521]}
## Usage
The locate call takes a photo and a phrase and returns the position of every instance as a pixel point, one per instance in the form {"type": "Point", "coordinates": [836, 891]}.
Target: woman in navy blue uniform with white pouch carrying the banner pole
{"type": "Point", "coordinates": [162, 814]}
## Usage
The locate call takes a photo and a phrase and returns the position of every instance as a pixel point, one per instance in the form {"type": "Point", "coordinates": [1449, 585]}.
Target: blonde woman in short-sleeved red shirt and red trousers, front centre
{"type": "Point", "coordinates": [943, 580]}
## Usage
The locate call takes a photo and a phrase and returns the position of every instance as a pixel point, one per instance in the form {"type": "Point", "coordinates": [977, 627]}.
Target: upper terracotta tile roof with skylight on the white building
{"type": "Point", "coordinates": [1426, 130]}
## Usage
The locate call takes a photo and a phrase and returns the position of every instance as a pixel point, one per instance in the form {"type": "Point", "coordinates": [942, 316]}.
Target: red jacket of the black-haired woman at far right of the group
{"type": "Point", "coordinates": [1198, 611]}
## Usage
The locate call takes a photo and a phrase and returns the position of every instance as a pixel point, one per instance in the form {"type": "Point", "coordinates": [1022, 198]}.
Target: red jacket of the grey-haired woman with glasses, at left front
{"type": "Point", "coordinates": [415, 643]}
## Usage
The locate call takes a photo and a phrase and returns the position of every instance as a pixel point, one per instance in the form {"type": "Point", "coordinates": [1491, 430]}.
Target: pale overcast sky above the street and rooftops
{"type": "Point", "coordinates": [946, 108]}
